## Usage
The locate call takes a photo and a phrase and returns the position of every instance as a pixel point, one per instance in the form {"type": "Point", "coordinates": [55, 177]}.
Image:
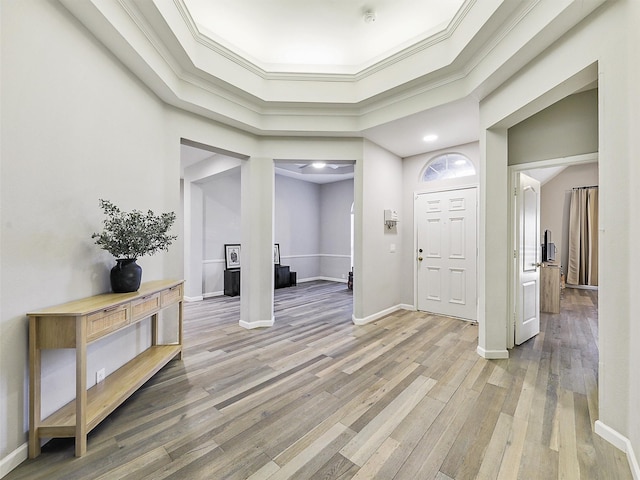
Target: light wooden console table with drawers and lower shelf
{"type": "Point", "coordinates": [79, 323]}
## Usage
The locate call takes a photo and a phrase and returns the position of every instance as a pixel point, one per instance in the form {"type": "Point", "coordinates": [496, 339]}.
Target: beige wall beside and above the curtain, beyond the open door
{"type": "Point", "coordinates": [555, 201]}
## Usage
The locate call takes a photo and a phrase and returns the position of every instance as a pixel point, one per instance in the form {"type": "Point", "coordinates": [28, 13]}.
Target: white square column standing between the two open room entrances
{"type": "Point", "coordinates": [256, 270]}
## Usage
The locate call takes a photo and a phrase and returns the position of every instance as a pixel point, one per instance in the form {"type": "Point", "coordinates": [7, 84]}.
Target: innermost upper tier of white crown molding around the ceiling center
{"type": "Point", "coordinates": [219, 65]}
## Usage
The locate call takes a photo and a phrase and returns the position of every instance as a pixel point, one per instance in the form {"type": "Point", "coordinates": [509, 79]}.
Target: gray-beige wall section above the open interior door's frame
{"type": "Point", "coordinates": [568, 127]}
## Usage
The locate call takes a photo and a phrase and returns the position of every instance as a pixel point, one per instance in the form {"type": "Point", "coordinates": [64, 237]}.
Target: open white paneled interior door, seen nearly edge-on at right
{"type": "Point", "coordinates": [527, 255]}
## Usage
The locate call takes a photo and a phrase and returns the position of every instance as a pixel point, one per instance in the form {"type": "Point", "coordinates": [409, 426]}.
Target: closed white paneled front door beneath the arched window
{"type": "Point", "coordinates": [447, 251]}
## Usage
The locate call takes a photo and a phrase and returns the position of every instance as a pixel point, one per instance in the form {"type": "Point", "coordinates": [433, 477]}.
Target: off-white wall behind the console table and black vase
{"type": "Point", "coordinates": [59, 156]}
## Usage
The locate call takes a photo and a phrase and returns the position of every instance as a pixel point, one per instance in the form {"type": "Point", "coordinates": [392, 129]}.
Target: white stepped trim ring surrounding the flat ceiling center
{"type": "Point", "coordinates": [488, 41]}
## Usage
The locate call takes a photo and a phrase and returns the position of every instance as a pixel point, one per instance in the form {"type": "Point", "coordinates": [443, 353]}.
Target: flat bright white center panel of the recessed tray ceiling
{"type": "Point", "coordinates": [319, 35]}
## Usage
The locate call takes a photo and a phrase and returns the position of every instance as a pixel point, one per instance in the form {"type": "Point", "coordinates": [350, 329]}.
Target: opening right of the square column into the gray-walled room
{"type": "Point", "coordinates": [312, 222]}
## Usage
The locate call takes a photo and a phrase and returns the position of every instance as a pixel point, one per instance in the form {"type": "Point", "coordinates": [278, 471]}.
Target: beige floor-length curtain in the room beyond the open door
{"type": "Point", "coordinates": [583, 237]}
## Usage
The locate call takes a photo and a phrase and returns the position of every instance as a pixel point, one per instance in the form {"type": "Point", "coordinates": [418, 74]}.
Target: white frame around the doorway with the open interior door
{"type": "Point", "coordinates": [513, 224]}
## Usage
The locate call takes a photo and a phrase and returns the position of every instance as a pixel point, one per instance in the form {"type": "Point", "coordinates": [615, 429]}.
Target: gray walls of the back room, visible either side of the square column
{"type": "Point", "coordinates": [312, 224]}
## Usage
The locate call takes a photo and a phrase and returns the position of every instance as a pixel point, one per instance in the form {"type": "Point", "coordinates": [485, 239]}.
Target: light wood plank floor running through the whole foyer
{"type": "Point", "coordinates": [315, 397]}
